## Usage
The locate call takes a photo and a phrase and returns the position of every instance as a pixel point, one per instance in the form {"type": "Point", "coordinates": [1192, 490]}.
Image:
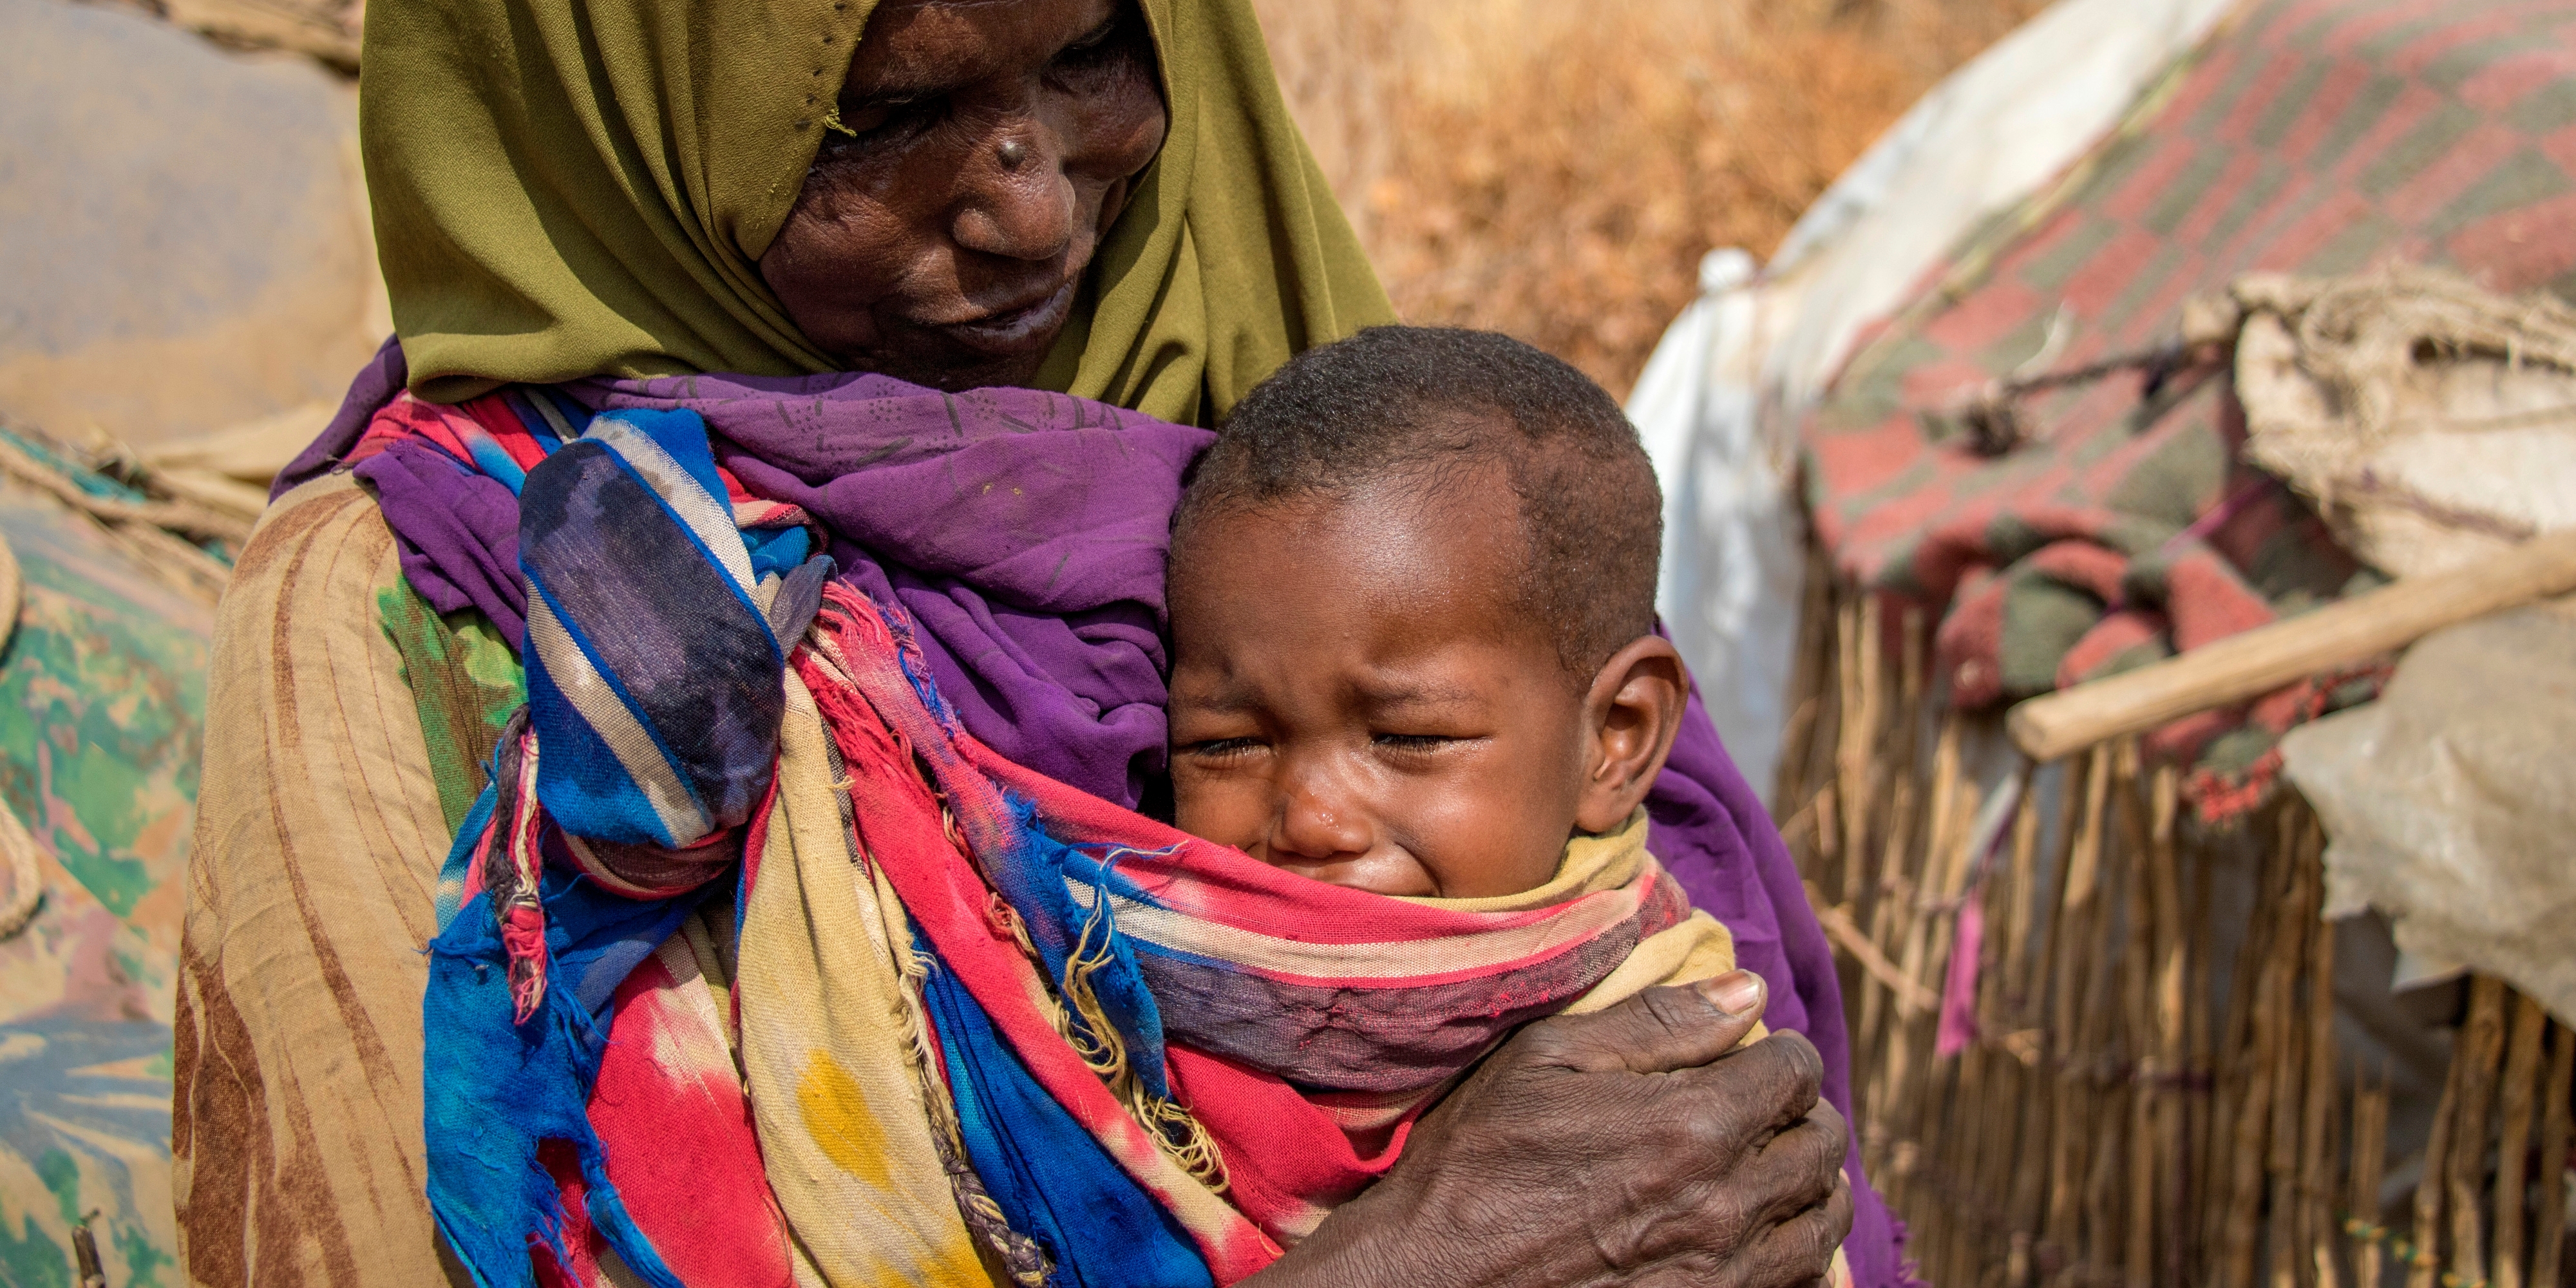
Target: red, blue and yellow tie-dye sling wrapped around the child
{"type": "Point", "coordinates": [957, 1021]}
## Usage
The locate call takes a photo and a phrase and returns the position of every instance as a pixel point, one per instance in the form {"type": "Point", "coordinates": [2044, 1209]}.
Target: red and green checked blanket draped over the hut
{"type": "Point", "coordinates": [2312, 138]}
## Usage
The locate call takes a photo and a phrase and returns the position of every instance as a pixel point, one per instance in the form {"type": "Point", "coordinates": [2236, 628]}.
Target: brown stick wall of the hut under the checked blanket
{"type": "Point", "coordinates": [2124, 1101]}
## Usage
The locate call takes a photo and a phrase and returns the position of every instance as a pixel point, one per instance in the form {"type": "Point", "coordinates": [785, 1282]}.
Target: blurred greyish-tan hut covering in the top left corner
{"type": "Point", "coordinates": [187, 228]}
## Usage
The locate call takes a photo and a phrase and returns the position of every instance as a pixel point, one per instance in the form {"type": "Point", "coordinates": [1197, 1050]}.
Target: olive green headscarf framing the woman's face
{"type": "Point", "coordinates": [586, 187]}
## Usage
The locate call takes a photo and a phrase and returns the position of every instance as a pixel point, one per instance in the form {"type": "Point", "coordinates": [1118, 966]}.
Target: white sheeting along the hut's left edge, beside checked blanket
{"type": "Point", "coordinates": [1722, 398]}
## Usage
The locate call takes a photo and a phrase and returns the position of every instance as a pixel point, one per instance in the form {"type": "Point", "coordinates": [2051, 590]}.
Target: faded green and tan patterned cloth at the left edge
{"type": "Point", "coordinates": [102, 728]}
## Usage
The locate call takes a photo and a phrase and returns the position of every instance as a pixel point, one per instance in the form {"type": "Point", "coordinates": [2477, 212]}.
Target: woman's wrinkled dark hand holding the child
{"type": "Point", "coordinates": [1627, 1148]}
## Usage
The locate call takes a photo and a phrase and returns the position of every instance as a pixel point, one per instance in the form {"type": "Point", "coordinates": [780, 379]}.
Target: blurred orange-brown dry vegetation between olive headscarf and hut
{"type": "Point", "coordinates": [1557, 169]}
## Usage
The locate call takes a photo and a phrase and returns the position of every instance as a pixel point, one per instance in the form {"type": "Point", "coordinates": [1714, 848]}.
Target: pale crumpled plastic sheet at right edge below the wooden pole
{"type": "Point", "coordinates": [2451, 802]}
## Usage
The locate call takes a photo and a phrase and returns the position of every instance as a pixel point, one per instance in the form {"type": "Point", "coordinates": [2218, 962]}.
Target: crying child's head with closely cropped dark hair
{"type": "Point", "coordinates": [1413, 620]}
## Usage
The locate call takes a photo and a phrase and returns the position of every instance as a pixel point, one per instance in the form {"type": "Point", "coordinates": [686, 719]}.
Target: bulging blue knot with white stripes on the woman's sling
{"type": "Point", "coordinates": [653, 666]}
